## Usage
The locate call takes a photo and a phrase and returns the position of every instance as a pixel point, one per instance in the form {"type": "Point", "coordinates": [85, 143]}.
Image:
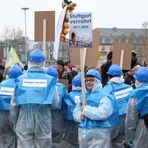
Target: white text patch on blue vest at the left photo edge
{"type": "Point", "coordinates": [6, 91]}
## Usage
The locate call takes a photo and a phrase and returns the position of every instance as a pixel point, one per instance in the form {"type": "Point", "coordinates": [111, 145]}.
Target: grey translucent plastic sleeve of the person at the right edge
{"type": "Point", "coordinates": [131, 119]}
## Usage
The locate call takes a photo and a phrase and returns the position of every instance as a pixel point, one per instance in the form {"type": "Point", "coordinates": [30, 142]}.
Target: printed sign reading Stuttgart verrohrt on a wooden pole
{"type": "Point", "coordinates": [80, 30]}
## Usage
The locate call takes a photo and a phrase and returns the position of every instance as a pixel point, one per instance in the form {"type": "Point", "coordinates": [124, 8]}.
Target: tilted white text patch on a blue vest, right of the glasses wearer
{"type": "Point", "coordinates": [122, 93]}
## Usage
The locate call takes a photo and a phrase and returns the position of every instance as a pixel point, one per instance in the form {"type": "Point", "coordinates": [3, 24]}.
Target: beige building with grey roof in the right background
{"type": "Point", "coordinates": [137, 37]}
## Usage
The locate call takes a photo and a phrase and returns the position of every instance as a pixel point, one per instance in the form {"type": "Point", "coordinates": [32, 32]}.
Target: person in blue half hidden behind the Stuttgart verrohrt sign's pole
{"type": "Point", "coordinates": [71, 129]}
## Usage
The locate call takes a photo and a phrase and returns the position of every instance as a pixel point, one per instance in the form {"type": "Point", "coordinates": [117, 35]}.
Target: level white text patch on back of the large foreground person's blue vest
{"type": "Point", "coordinates": [34, 82]}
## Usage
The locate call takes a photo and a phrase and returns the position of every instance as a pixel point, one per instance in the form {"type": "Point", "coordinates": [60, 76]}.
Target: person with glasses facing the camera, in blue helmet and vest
{"type": "Point", "coordinates": [98, 116]}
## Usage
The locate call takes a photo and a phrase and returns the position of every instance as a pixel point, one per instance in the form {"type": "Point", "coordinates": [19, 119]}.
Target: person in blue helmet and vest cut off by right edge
{"type": "Point", "coordinates": [136, 123]}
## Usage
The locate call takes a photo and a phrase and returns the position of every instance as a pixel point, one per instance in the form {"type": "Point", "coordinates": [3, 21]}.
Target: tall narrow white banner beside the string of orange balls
{"type": "Point", "coordinates": [58, 33]}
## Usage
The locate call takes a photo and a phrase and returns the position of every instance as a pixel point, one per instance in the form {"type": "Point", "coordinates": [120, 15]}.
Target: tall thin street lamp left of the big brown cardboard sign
{"type": "Point", "coordinates": [25, 9]}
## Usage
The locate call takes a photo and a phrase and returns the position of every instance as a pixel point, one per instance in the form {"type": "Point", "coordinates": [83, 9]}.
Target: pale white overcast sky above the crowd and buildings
{"type": "Point", "coordinates": [106, 13]}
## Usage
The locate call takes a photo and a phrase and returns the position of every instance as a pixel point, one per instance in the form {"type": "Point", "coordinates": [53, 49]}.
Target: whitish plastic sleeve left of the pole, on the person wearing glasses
{"type": "Point", "coordinates": [77, 112]}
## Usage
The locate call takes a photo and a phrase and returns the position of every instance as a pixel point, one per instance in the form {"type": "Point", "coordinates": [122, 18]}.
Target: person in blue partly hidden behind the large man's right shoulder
{"type": "Point", "coordinates": [58, 110]}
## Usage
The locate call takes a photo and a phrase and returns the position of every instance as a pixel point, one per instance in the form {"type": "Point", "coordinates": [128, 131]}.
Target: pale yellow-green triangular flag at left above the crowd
{"type": "Point", "coordinates": [12, 58]}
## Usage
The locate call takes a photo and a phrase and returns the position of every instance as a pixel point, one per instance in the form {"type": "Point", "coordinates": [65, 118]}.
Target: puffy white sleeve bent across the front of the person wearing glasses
{"type": "Point", "coordinates": [103, 111]}
